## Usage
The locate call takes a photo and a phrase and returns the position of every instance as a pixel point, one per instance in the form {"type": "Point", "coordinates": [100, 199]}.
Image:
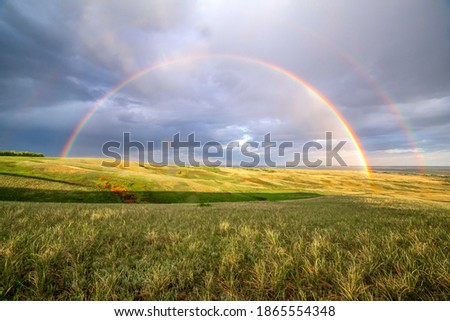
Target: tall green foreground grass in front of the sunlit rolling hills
{"type": "Point", "coordinates": [330, 248]}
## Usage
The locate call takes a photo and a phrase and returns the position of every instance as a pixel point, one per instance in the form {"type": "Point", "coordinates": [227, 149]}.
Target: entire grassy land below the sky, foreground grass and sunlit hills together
{"type": "Point", "coordinates": [73, 230]}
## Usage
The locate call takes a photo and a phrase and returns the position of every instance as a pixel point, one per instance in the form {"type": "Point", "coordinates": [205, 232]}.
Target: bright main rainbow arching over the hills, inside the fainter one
{"type": "Point", "coordinates": [93, 109]}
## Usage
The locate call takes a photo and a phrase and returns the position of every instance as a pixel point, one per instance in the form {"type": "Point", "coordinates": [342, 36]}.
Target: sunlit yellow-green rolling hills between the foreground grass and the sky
{"type": "Point", "coordinates": [85, 180]}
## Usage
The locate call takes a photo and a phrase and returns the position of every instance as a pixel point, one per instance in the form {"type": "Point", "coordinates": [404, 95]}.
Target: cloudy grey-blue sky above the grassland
{"type": "Point", "coordinates": [383, 65]}
